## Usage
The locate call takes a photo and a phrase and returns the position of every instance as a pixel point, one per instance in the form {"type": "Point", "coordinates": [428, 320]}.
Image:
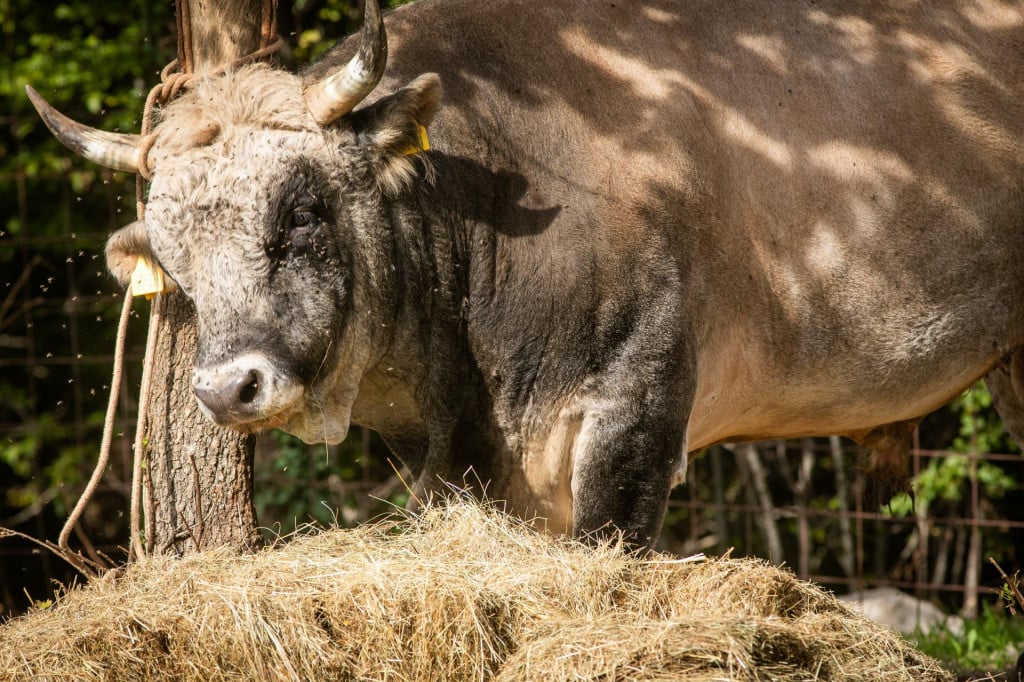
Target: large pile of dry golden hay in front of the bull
{"type": "Point", "coordinates": [460, 593]}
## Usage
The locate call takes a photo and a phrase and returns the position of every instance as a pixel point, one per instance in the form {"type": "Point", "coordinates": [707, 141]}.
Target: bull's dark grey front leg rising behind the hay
{"type": "Point", "coordinates": [630, 448]}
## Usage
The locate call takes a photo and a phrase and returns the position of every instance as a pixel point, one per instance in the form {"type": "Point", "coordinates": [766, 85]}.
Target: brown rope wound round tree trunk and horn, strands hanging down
{"type": "Point", "coordinates": [172, 84]}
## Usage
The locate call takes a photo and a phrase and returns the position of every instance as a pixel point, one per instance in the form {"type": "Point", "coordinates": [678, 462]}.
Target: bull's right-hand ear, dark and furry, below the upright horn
{"type": "Point", "coordinates": [395, 131]}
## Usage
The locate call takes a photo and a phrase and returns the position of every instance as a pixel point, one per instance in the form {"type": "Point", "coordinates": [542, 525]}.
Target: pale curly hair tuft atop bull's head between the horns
{"type": "Point", "coordinates": [255, 96]}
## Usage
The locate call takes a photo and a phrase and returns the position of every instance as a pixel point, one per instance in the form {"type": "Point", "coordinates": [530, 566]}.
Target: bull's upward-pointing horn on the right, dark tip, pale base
{"type": "Point", "coordinates": [332, 98]}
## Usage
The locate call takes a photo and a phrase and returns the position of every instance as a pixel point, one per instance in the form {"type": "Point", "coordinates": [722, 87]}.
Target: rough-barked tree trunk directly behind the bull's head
{"type": "Point", "coordinates": [199, 488]}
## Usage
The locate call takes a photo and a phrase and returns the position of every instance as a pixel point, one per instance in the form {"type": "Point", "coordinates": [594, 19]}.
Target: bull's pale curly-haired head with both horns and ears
{"type": "Point", "coordinates": [269, 207]}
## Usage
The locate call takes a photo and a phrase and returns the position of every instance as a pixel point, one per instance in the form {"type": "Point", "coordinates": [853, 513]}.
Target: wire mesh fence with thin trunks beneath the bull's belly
{"type": "Point", "coordinates": [935, 545]}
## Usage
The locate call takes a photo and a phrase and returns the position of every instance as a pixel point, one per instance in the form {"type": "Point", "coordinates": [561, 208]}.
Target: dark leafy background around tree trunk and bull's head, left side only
{"type": "Point", "coordinates": [96, 62]}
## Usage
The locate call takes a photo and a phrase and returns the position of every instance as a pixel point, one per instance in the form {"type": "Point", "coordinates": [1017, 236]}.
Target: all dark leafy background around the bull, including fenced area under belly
{"type": "Point", "coordinates": [96, 63]}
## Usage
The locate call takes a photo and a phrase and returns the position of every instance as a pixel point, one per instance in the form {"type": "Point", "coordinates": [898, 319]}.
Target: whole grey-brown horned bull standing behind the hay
{"type": "Point", "coordinates": [643, 229]}
